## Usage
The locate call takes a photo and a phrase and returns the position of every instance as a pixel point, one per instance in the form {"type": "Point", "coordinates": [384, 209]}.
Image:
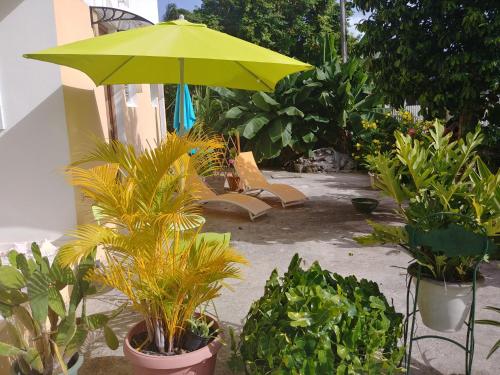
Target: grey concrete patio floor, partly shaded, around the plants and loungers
{"type": "Point", "coordinates": [320, 230]}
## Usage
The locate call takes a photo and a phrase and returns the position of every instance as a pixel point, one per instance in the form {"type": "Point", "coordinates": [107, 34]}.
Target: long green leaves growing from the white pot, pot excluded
{"type": "Point", "coordinates": [437, 182]}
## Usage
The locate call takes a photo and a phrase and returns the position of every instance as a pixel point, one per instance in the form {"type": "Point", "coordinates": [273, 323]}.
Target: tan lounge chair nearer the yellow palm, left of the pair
{"type": "Point", "coordinates": [254, 206]}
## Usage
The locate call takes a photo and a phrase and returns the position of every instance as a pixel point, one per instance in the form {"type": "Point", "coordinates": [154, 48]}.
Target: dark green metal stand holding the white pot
{"type": "Point", "coordinates": [451, 241]}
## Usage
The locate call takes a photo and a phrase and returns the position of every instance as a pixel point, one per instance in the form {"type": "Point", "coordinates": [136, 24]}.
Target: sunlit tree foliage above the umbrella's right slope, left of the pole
{"type": "Point", "coordinates": [293, 28]}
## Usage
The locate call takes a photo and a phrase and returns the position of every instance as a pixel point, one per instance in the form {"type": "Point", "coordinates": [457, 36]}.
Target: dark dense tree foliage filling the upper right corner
{"type": "Point", "coordinates": [445, 54]}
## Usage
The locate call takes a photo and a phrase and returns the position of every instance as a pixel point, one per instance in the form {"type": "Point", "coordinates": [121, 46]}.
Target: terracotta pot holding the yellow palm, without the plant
{"type": "Point", "coordinates": [199, 362]}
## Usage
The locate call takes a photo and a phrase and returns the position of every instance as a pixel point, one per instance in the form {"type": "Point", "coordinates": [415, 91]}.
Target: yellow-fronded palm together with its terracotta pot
{"type": "Point", "coordinates": [154, 251]}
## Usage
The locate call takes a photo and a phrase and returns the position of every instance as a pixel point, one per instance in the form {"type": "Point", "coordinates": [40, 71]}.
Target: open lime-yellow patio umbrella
{"type": "Point", "coordinates": [174, 52]}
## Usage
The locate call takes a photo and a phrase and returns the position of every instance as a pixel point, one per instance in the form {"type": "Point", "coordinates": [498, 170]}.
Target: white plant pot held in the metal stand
{"type": "Point", "coordinates": [444, 307]}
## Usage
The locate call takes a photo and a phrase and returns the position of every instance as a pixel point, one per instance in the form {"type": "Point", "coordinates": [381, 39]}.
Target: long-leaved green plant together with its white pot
{"type": "Point", "coordinates": [439, 184]}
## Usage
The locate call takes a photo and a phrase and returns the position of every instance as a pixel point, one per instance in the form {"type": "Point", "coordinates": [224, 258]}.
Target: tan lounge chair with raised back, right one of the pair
{"type": "Point", "coordinates": [253, 179]}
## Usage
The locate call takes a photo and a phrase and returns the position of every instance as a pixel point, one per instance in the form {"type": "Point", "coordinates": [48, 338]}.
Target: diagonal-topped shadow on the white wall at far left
{"type": "Point", "coordinates": [35, 200]}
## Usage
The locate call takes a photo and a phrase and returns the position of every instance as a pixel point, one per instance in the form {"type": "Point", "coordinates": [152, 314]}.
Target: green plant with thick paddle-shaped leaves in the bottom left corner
{"type": "Point", "coordinates": [44, 330]}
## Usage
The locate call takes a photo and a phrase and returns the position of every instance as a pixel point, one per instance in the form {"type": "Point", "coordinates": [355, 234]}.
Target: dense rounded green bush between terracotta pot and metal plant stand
{"type": "Point", "coordinates": [317, 322]}
